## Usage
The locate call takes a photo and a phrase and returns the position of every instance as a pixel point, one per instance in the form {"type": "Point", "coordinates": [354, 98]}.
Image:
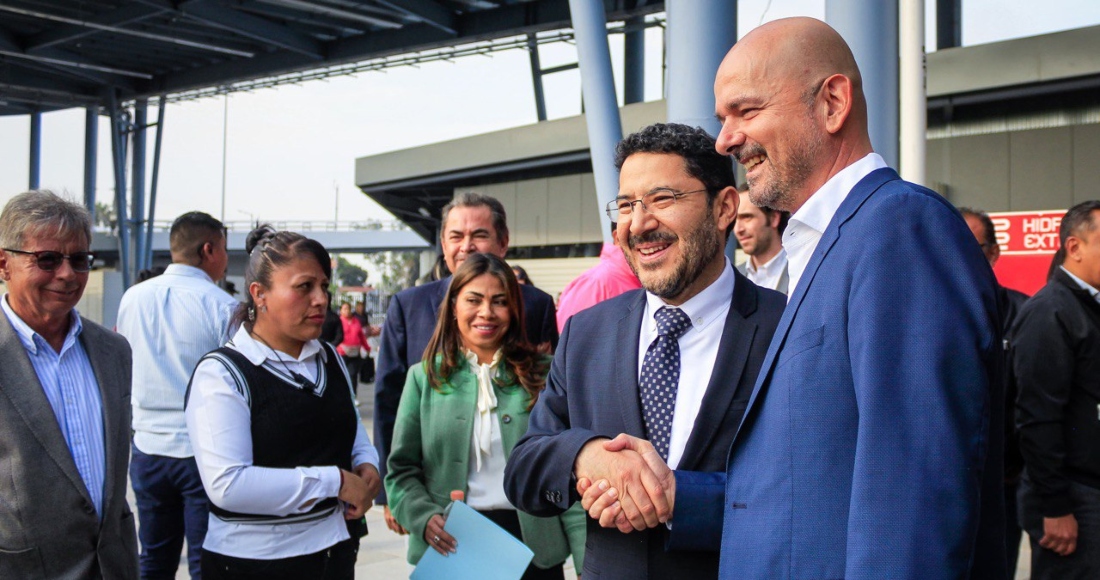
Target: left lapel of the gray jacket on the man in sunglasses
{"type": "Point", "coordinates": [20, 385]}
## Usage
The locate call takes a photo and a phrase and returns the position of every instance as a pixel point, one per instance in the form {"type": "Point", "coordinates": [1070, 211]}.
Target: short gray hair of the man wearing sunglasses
{"type": "Point", "coordinates": [42, 213]}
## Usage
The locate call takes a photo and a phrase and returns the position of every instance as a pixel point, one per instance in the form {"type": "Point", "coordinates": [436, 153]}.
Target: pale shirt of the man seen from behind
{"type": "Point", "coordinates": [171, 322]}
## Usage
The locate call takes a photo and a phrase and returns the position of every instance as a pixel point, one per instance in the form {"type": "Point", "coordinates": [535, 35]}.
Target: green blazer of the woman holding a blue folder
{"type": "Point", "coordinates": [431, 457]}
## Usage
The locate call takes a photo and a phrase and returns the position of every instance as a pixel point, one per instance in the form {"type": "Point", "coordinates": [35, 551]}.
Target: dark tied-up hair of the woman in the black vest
{"type": "Point", "coordinates": [269, 249]}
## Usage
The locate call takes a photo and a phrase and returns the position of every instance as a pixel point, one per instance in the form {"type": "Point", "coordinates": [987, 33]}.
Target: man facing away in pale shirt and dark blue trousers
{"type": "Point", "coordinates": [171, 322]}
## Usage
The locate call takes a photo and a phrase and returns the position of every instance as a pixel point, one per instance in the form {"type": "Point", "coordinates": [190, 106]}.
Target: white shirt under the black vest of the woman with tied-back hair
{"type": "Point", "coordinates": [219, 423]}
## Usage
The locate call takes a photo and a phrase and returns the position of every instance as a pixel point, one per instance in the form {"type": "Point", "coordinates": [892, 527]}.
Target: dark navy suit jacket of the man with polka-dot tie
{"type": "Point", "coordinates": [593, 392]}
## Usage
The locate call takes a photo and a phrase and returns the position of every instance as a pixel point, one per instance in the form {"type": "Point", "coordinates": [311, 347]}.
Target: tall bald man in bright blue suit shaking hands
{"type": "Point", "coordinates": [873, 443]}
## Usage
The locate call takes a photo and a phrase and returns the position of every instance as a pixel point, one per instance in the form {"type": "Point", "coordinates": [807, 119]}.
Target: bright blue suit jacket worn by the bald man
{"type": "Point", "coordinates": [873, 444]}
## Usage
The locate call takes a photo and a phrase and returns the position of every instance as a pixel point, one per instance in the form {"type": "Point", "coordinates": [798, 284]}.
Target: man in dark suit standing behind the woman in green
{"type": "Point", "coordinates": [472, 224]}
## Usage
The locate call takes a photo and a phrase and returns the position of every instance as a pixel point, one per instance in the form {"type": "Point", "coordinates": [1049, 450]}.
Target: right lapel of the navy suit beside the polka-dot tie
{"type": "Point", "coordinates": [729, 367]}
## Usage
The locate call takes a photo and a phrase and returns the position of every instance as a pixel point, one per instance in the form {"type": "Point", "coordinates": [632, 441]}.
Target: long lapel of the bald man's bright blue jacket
{"type": "Point", "coordinates": [852, 204]}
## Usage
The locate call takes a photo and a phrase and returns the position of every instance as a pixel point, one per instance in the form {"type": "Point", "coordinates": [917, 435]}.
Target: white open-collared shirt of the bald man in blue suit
{"type": "Point", "coordinates": [808, 225]}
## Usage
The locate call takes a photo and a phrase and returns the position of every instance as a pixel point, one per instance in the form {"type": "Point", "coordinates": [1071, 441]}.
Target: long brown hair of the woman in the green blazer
{"type": "Point", "coordinates": [523, 364]}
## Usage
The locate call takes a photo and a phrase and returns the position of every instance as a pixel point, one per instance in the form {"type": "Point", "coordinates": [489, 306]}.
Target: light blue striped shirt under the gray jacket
{"type": "Point", "coordinates": [73, 392]}
